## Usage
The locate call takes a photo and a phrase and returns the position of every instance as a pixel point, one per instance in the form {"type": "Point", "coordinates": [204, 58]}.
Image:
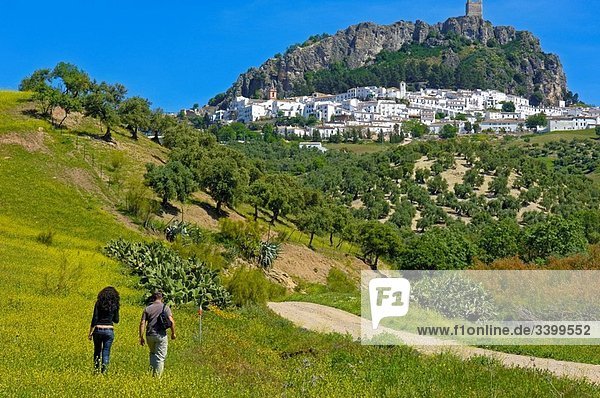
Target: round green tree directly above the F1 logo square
{"type": "Point", "coordinates": [377, 239]}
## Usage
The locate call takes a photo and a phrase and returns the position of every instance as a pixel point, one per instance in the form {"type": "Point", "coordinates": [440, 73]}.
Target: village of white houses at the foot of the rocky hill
{"type": "Point", "coordinates": [380, 110]}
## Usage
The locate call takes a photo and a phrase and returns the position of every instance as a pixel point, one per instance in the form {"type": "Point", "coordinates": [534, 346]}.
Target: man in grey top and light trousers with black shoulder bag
{"type": "Point", "coordinates": [156, 332]}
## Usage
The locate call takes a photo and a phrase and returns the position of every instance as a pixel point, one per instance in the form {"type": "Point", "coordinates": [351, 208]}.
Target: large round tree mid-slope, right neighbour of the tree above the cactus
{"type": "Point", "coordinates": [224, 180]}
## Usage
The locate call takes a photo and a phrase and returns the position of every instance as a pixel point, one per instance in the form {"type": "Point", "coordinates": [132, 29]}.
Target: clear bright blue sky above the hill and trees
{"type": "Point", "coordinates": [177, 53]}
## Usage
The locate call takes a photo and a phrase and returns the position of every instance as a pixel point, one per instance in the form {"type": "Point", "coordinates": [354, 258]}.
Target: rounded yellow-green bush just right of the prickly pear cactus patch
{"type": "Point", "coordinates": [250, 286]}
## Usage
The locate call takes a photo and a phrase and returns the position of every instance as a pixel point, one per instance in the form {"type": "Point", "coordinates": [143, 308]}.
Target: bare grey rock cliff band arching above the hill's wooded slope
{"type": "Point", "coordinates": [358, 45]}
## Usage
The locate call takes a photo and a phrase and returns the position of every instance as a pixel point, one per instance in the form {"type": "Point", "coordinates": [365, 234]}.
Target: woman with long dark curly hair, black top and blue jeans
{"type": "Point", "coordinates": [106, 314]}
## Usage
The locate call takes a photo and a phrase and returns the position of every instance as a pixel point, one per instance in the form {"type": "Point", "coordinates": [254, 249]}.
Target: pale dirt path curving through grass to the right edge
{"type": "Point", "coordinates": [324, 319]}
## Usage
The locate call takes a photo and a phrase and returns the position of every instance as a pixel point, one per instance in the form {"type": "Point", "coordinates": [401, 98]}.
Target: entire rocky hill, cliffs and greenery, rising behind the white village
{"type": "Point", "coordinates": [472, 52]}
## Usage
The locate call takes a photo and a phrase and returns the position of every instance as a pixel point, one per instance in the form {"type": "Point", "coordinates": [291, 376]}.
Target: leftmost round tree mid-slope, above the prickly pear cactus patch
{"type": "Point", "coordinates": [171, 181]}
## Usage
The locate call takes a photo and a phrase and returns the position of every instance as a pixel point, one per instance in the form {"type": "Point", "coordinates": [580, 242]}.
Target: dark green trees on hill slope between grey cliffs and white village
{"type": "Point", "coordinates": [478, 66]}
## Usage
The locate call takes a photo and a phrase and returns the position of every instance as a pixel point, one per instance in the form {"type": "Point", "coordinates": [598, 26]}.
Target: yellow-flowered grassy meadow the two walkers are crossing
{"type": "Point", "coordinates": [44, 352]}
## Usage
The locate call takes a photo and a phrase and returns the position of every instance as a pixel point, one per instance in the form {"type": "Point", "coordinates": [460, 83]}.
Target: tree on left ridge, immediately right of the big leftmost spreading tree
{"type": "Point", "coordinates": [103, 102]}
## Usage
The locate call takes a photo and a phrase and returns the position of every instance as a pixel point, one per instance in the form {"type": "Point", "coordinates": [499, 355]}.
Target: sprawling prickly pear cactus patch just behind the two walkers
{"type": "Point", "coordinates": [160, 268]}
